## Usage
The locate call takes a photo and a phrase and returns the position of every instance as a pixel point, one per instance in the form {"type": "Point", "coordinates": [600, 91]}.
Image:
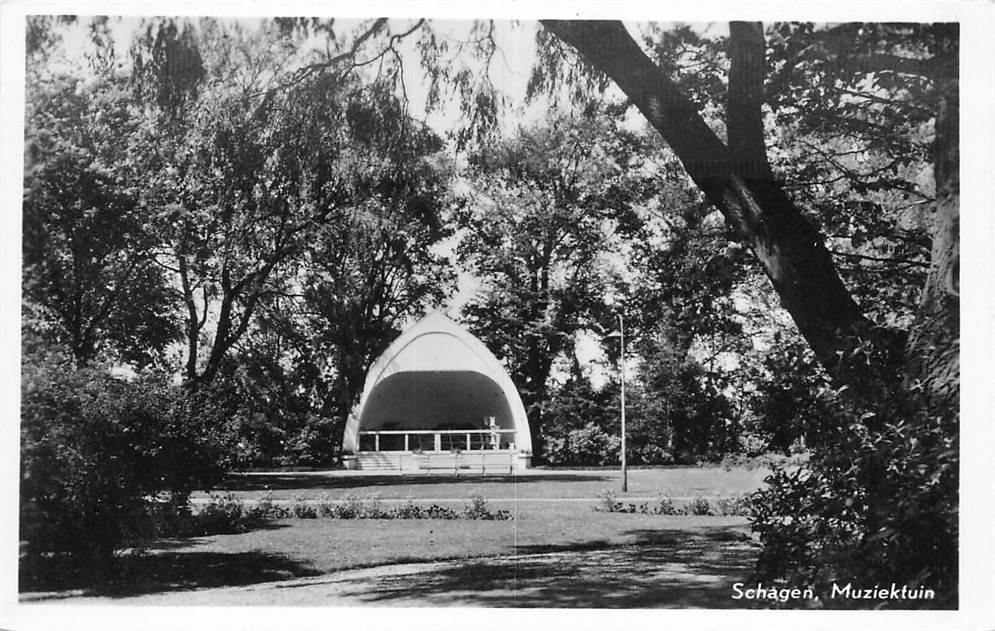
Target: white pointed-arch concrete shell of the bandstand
{"type": "Point", "coordinates": [433, 346]}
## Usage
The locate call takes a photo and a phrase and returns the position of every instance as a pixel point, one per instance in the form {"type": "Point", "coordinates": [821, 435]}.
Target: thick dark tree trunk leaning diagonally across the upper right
{"type": "Point", "coordinates": [790, 251]}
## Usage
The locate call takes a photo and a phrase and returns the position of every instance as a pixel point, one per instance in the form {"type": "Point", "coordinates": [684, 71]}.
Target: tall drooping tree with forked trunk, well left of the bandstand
{"type": "Point", "coordinates": [240, 172]}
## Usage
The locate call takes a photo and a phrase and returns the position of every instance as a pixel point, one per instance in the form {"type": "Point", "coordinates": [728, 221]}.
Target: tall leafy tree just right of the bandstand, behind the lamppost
{"type": "Point", "coordinates": [548, 205]}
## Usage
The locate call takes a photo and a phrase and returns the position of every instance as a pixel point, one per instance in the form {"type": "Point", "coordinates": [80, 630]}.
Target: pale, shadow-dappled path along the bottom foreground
{"type": "Point", "coordinates": [700, 574]}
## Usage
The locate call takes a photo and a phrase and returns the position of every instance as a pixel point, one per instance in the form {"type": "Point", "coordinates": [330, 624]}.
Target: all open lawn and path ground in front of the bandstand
{"type": "Point", "coordinates": [556, 551]}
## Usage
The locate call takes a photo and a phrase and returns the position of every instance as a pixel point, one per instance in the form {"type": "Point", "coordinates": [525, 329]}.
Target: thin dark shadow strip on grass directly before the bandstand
{"type": "Point", "coordinates": [282, 481]}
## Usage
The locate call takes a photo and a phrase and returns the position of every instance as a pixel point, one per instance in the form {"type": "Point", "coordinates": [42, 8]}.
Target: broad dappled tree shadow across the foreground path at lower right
{"type": "Point", "coordinates": [678, 569]}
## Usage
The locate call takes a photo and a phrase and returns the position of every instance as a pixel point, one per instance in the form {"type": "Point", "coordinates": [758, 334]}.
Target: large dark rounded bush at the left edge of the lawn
{"type": "Point", "coordinates": [96, 450]}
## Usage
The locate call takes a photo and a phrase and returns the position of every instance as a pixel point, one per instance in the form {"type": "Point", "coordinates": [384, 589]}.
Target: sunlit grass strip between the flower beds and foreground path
{"type": "Point", "coordinates": [326, 545]}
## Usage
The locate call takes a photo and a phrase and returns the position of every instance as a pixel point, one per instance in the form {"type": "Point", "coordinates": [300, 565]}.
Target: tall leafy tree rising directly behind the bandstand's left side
{"type": "Point", "coordinates": [373, 263]}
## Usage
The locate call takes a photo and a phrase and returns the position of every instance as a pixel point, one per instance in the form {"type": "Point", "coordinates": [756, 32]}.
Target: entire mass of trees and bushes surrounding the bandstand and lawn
{"type": "Point", "coordinates": [225, 224]}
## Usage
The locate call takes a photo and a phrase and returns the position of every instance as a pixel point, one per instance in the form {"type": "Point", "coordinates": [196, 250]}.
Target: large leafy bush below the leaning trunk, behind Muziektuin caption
{"type": "Point", "coordinates": [875, 505]}
